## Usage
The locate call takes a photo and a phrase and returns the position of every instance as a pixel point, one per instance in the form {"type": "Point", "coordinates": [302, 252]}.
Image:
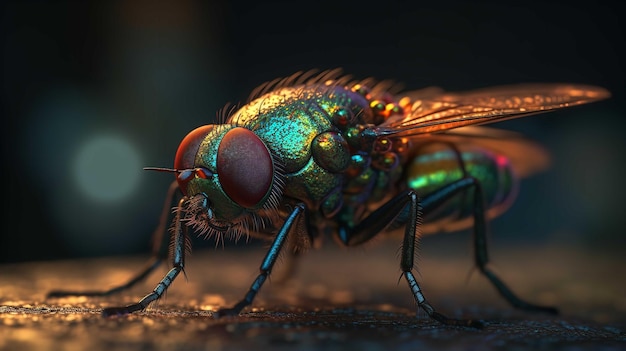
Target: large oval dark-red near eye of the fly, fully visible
{"type": "Point", "coordinates": [244, 167]}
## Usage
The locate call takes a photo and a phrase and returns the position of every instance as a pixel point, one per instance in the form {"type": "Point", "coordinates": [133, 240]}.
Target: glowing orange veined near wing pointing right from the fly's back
{"type": "Point", "coordinates": [435, 112]}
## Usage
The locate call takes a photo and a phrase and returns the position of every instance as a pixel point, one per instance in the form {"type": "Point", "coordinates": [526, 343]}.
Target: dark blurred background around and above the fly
{"type": "Point", "coordinates": [94, 91]}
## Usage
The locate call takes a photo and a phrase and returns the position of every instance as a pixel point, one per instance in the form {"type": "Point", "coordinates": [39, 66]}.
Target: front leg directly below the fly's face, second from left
{"type": "Point", "coordinates": [178, 262]}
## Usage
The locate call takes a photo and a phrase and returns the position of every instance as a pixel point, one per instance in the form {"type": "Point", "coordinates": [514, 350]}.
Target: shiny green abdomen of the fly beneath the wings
{"type": "Point", "coordinates": [437, 164]}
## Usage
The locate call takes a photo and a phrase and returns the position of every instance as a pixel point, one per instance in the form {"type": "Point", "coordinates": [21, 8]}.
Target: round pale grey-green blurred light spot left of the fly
{"type": "Point", "coordinates": [107, 168]}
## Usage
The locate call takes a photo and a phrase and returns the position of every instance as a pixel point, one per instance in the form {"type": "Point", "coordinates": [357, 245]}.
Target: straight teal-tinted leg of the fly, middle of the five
{"type": "Point", "coordinates": [266, 265]}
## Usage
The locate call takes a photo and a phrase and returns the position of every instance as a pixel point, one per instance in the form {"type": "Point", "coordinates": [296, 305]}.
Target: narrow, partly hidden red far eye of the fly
{"type": "Point", "coordinates": [186, 154]}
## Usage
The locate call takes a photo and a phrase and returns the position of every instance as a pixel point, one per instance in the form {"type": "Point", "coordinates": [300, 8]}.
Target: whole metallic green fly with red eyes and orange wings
{"type": "Point", "coordinates": [312, 154]}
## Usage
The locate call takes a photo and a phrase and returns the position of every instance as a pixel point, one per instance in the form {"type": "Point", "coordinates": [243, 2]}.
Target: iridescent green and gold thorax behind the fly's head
{"type": "Point", "coordinates": [305, 127]}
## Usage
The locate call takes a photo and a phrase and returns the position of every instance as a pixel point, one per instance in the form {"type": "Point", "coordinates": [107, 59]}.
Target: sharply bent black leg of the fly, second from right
{"type": "Point", "coordinates": [377, 221]}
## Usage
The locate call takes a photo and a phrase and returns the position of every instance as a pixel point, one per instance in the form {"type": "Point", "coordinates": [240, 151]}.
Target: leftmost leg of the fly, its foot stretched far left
{"type": "Point", "coordinates": [158, 255]}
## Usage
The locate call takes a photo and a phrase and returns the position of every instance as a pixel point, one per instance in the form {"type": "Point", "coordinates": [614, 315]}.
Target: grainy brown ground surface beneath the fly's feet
{"type": "Point", "coordinates": [338, 300]}
